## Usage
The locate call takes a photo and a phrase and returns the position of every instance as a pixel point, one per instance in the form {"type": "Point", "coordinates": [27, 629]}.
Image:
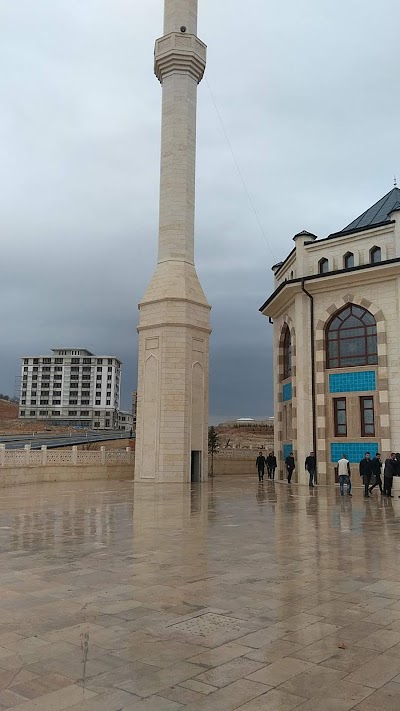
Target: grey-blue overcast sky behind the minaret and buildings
{"type": "Point", "coordinates": [308, 95]}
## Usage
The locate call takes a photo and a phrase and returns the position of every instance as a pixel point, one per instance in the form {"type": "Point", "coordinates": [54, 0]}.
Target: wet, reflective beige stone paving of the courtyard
{"type": "Point", "coordinates": [234, 595]}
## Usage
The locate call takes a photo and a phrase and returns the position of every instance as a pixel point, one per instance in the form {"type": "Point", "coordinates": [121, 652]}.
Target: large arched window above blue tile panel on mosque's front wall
{"type": "Point", "coordinates": [351, 338]}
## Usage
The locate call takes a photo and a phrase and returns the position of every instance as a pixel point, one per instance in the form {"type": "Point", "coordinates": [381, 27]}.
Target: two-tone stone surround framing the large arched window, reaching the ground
{"type": "Point", "coordinates": [382, 371]}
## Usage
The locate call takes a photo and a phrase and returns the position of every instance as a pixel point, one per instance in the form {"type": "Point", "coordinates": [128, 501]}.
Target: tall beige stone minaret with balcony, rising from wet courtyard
{"type": "Point", "coordinates": [174, 315]}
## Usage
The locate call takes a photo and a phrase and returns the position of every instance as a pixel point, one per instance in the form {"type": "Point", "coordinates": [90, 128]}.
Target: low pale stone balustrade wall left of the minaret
{"type": "Point", "coordinates": [27, 457]}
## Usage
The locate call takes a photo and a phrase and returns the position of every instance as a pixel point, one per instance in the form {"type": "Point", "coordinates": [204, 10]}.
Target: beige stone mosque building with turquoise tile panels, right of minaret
{"type": "Point", "coordinates": [359, 267]}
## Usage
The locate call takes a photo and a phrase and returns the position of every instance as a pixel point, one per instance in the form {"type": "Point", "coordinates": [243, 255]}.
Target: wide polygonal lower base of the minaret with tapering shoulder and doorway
{"type": "Point", "coordinates": [172, 427]}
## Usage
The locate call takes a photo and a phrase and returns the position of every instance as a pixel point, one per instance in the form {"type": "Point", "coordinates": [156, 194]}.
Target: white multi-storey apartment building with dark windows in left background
{"type": "Point", "coordinates": [72, 386]}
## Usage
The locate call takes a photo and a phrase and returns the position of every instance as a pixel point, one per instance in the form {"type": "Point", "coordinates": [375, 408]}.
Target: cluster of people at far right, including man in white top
{"type": "Point", "coordinates": [371, 473]}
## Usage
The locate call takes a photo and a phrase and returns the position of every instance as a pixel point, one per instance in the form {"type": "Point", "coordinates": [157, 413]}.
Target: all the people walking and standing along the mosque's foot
{"type": "Point", "coordinates": [370, 471]}
